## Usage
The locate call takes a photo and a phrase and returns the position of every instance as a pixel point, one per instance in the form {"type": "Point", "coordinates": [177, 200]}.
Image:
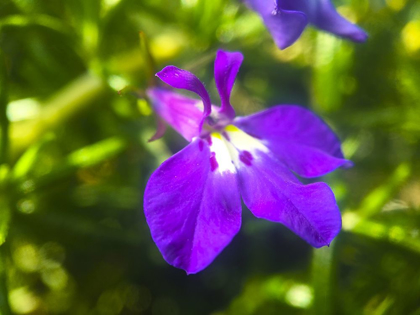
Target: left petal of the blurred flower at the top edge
{"type": "Point", "coordinates": [285, 26]}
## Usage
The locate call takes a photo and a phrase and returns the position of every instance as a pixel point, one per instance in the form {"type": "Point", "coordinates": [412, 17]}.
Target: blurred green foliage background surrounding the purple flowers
{"type": "Point", "coordinates": [74, 159]}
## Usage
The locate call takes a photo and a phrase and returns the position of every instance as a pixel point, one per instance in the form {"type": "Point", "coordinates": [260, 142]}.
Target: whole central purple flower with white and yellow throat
{"type": "Point", "coordinates": [192, 201]}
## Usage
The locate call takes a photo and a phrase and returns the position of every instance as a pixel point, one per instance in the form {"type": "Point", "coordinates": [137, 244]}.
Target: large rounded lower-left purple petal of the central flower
{"type": "Point", "coordinates": [193, 206]}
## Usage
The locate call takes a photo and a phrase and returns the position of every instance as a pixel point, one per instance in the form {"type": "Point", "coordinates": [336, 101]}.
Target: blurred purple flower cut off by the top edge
{"type": "Point", "coordinates": [286, 19]}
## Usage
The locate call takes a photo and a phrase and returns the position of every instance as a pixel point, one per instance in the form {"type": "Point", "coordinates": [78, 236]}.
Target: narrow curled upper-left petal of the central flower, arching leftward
{"type": "Point", "coordinates": [182, 79]}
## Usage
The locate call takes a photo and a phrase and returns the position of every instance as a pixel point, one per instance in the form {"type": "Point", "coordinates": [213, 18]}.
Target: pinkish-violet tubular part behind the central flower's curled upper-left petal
{"type": "Point", "coordinates": [180, 112]}
